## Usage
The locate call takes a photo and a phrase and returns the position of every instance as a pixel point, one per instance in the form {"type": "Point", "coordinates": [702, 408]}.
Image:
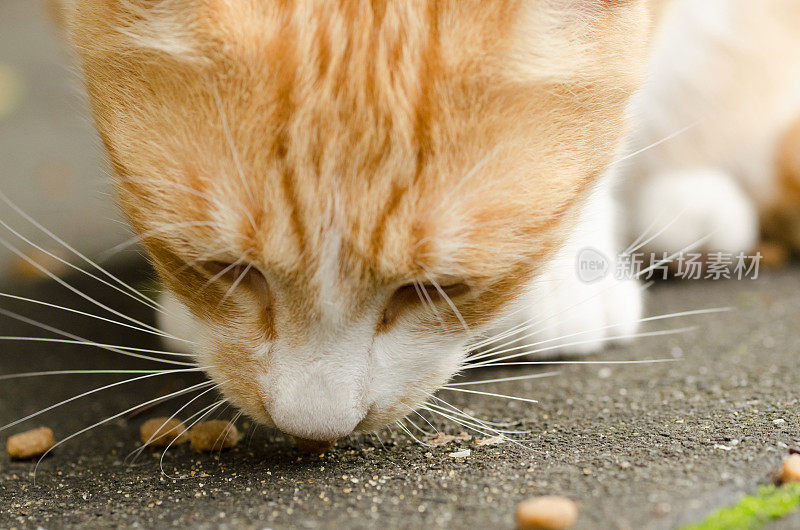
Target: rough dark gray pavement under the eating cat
{"type": "Point", "coordinates": [651, 446]}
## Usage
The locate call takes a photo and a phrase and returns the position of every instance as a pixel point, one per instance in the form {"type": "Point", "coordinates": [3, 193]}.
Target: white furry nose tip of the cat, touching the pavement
{"type": "Point", "coordinates": [314, 406]}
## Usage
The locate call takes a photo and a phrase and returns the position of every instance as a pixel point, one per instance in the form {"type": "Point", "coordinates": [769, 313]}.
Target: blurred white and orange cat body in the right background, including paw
{"type": "Point", "coordinates": [726, 74]}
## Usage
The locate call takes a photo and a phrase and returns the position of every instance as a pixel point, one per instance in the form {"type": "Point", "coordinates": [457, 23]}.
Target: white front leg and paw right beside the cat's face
{"type": "Point", "coordinates": [581, 303]}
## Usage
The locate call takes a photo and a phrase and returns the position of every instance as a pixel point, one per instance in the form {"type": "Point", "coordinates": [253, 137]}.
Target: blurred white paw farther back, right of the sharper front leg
{"type": "Point", "coordinates": [702, 207]}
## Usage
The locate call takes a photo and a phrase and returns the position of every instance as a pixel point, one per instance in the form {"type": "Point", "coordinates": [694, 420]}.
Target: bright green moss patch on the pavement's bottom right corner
{"type": "Point", "coordinates": [754, 511]}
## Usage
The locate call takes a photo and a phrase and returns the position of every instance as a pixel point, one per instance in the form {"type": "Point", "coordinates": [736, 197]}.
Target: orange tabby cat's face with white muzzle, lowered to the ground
{"type": "Point", "coordinates": [344, 193]}
